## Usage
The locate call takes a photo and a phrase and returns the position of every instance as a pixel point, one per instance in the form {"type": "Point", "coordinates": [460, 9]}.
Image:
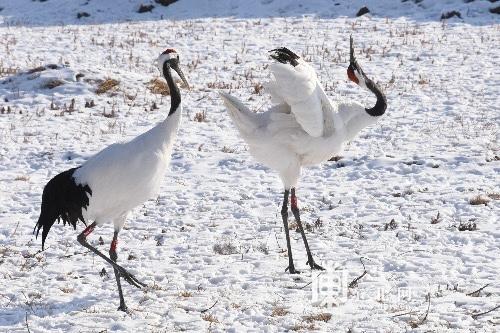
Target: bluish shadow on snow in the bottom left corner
{"type": "Point", "coordinates": [16, 315]}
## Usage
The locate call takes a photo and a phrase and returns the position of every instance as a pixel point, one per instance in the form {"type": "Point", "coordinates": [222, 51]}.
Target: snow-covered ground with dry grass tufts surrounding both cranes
{"type": "Point", "coordinates": [397, 201]}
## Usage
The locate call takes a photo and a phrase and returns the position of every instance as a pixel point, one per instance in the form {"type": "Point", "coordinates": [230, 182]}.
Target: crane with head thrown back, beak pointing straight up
{"type": "Point", "coordinates": [303, 128]}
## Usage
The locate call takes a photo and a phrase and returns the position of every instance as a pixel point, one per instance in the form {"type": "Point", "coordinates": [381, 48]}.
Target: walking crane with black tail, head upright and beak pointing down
{"type": "Point", "coordinates": [112, 182]}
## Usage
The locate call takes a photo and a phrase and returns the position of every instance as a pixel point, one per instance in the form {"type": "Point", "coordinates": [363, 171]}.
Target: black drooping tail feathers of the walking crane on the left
{"type": "Point", "coordinates": [62, 199]}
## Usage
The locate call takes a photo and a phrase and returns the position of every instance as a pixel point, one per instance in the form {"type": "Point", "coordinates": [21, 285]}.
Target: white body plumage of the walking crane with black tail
{"type": "Point", "coordinates": [125, 175]}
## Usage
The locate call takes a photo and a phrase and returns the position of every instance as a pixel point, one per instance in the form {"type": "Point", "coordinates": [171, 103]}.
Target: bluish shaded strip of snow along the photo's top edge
{"type": "Point", "coordinates": [88, 12]}
